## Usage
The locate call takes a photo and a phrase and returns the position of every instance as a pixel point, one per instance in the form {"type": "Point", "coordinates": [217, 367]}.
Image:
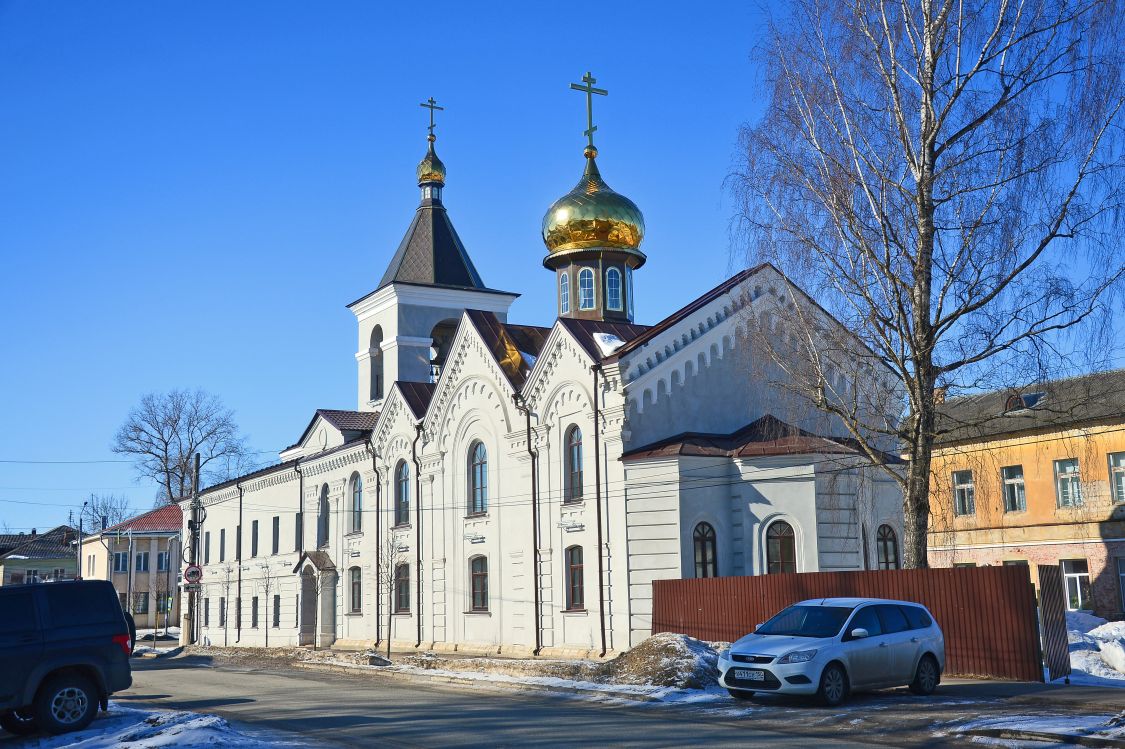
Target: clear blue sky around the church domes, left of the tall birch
{"type": "Point", "coordinates": [193, 192]}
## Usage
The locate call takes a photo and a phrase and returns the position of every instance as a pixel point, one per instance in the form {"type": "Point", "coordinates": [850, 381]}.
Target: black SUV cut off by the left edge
{"type": "Point", "coordinates": [66, 648]}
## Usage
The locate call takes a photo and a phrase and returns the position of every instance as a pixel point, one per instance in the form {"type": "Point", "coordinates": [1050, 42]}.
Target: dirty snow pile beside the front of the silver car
{"type": "Point", "coordinates": [667, 661]}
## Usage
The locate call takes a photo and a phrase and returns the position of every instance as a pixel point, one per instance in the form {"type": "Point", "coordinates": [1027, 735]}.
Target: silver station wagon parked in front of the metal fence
{"type": "Point", "coordinates": [830, 647]}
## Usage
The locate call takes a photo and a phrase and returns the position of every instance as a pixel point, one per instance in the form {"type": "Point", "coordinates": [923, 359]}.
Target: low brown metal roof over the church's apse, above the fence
{"type": "Point", "coordinates": [762, 438]}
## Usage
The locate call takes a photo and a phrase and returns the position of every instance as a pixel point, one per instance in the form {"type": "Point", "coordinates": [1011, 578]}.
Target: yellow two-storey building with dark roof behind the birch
{"type": "Point", "coordinates": [1037, 477]}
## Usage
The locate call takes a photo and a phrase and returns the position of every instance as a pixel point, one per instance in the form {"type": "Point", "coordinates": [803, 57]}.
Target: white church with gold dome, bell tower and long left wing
{"type": "Point", "coordinates": [511, 489]}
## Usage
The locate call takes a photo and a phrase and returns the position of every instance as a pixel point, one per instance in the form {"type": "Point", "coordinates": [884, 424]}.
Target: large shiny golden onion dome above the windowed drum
{"type": "Point", "coordinates": [592, 215]}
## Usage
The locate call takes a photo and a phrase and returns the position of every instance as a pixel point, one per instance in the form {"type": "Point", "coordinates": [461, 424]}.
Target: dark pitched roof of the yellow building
{"type": "Point", "coordinates": [1059, 404]}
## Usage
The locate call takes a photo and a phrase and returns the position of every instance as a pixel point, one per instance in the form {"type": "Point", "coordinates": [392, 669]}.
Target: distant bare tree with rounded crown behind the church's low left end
{"type": "Point", "coordinates": [166, 430]}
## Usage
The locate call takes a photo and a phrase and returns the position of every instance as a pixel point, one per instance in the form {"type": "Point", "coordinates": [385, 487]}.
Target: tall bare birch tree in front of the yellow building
{"type": "Point", "coordinates": [946, 179]}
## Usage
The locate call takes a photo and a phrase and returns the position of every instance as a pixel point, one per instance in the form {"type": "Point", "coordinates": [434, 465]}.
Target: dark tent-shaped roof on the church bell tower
{"type": "Point", "coordinates": [433, 254]}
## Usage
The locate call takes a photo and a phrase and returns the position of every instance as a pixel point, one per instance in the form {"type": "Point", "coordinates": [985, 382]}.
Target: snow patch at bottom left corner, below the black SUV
{"type": "Point", "coordinates": [151, 729]}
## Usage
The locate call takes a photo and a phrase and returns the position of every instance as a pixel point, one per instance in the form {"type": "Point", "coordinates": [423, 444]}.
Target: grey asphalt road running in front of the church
{"type": "Point", "coordinates": [357, 711]}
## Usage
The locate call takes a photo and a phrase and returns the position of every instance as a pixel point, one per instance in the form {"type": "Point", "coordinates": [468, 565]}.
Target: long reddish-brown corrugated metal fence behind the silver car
{"type": "Point", "coordinates": [988, 615]}
